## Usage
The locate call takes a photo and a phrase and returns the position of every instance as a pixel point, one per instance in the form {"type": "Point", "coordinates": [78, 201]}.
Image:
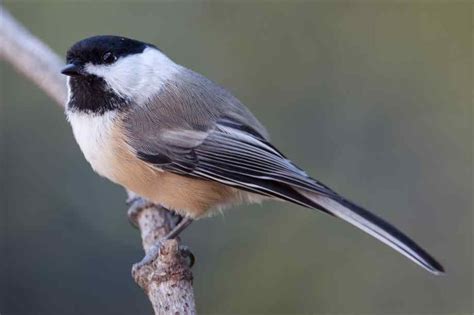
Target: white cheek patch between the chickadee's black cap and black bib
{"type": "Point", "coordinates": [138, 76]}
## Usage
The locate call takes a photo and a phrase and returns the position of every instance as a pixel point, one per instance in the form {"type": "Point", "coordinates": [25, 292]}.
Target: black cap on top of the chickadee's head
{"type": "Point", "coordinates": [104, 49]}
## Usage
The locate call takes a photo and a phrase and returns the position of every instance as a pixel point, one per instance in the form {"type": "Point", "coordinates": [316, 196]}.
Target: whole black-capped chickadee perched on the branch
{"type": "Point", "coordinates": [176, 138]}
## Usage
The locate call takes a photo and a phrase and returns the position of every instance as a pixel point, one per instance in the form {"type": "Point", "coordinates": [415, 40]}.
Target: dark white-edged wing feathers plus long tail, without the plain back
{"type": "Point", "coordinates": [236, 155]}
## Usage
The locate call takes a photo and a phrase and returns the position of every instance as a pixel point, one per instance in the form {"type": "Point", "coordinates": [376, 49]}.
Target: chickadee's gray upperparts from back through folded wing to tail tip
{"type": "Point", "coordinates": [202, 131]}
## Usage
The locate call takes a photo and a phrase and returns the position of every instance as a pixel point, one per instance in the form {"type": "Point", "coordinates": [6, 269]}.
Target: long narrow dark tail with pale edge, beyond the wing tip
{"type": "Point", "coordinates": [373, 225]}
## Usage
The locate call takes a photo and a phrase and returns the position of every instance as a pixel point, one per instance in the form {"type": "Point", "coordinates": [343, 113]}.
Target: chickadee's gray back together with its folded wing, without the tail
{"type": "Point", "coordinates": [196, 128]}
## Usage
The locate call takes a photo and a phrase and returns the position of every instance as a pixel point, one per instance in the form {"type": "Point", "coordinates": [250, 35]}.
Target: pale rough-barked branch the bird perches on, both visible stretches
{"type": "Point", "coordinates": [168, 280]}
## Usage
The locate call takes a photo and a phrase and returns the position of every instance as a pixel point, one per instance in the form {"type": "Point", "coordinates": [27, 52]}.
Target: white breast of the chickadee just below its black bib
{"type": "Point", "coordinates": [95, 136]}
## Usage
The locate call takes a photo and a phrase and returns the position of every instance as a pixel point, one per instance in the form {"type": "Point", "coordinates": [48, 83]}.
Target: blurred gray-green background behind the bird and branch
{"type": "Point", "coordinates": [374, 100]}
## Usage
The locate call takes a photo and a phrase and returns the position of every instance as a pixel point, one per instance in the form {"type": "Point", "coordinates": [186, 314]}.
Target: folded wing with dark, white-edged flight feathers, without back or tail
{"type": "Point", "coordinates": [235, 155]}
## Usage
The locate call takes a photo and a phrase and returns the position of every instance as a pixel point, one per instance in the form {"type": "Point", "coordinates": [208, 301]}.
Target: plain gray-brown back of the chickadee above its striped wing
{"type": "Point", "coordinates": [187, 102]}
